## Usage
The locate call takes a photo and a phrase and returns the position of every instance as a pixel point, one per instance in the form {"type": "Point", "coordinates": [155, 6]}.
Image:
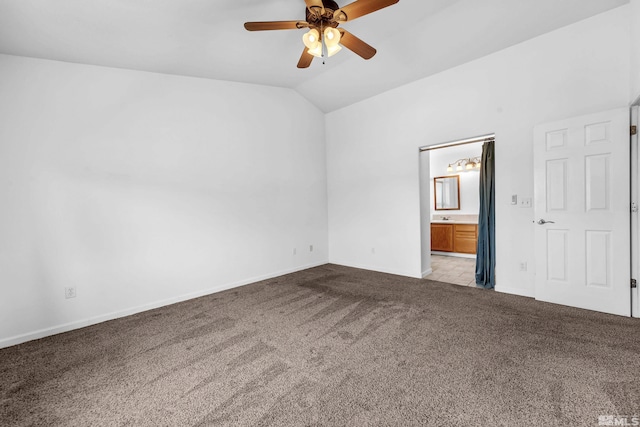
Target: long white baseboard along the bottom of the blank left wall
{"type": "Point", "coordinates": [58, 329]}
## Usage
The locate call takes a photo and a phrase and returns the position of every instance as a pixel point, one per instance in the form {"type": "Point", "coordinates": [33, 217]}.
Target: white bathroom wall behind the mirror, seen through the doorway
{"type": "Point", "coordinates": [469, 180]}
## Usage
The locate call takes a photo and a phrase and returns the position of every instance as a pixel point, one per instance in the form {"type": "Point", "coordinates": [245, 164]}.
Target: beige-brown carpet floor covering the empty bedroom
{"type": "Point", "coordinates": [332, 346]}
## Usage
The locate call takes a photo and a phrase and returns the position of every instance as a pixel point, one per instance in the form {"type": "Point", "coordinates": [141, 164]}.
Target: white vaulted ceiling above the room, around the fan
{"type": "Point", "coordinates": [206, 38]}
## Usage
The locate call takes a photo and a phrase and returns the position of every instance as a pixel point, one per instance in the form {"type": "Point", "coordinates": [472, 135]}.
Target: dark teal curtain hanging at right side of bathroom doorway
{"type": "Point", "coordinates": [486, 253]}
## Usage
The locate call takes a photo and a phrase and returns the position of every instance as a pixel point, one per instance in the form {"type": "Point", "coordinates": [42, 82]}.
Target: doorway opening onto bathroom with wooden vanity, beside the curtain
{"type": "Point", "coordinates": [450, 207]}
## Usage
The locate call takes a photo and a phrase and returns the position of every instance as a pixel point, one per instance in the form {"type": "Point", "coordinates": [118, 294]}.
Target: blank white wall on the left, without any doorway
{"type": "Point", "coordinates": [141, 189]}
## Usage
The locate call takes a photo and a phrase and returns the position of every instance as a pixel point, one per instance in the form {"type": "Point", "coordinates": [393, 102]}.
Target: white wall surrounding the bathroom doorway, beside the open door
{"type": "Point", "coordinates": [373, 174]}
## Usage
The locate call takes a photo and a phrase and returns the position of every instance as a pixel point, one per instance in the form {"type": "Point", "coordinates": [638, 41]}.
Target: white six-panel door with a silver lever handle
{"type": "Point", "coordinates": [582, 212]}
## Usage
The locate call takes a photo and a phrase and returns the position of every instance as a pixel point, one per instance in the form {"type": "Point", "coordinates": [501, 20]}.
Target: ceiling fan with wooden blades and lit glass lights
{"type": "Point", "coordinates": [322, 19]}
